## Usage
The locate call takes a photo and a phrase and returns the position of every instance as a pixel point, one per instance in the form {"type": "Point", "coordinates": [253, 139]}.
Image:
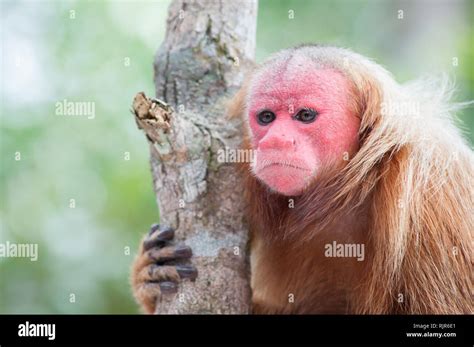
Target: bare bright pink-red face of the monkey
{"type": "Point", "coordinates": [301, 121]}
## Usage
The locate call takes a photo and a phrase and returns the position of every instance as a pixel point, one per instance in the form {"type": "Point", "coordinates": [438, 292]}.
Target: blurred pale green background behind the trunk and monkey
{"type": "Point", "coordinates": [104, 55]}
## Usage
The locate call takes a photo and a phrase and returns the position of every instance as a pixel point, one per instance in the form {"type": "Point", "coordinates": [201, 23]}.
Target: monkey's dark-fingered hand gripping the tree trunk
{"type": "Point", "coordinates": [158, 268]}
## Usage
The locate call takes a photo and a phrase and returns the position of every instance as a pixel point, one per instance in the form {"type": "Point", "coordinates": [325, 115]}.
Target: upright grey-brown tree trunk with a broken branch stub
{"type": "Point", "coordinates": [208, 48]}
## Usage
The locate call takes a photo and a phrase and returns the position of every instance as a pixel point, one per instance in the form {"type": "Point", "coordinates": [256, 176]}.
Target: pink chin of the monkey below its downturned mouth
{"type": "Point", "coordinates": [287, 181]}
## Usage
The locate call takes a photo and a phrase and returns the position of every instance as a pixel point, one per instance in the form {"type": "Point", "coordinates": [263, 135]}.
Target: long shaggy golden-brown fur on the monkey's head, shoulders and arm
{"type": "Point", "coordinates": [410, 185]}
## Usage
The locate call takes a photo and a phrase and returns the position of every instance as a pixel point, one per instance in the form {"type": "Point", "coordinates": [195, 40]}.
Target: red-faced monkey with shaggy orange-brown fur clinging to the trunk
{"type": "Point", "coordinates": [345, 158]}
